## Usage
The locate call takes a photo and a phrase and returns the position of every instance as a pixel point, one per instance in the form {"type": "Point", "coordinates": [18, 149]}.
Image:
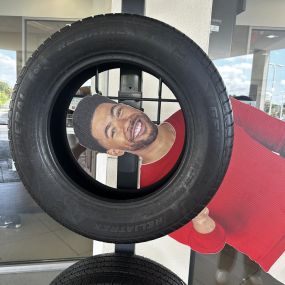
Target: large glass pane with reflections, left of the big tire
{"type": "Point", "coordinates": [26, 232]}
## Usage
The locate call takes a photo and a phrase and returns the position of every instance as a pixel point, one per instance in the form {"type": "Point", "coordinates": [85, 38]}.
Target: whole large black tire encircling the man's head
{"type": "Point", "coordinates": [38, 135]}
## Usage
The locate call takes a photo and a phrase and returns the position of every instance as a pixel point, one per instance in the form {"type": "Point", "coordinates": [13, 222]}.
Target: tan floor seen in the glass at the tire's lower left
{"type": "Point", "coordinates": [40, 237]}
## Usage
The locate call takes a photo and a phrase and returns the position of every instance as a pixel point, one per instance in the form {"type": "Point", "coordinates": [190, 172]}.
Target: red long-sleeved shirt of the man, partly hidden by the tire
{"type": "Point", "coordinates": [249, 207]}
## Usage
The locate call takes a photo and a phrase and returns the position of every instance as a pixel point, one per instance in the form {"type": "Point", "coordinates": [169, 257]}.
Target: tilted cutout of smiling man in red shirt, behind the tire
{"type": "Point", "coordinates": [248, 210]}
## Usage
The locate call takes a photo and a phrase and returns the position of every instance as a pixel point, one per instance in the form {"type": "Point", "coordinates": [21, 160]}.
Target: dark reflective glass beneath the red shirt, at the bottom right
{"type": "Point", "coordinates": [229, 268]}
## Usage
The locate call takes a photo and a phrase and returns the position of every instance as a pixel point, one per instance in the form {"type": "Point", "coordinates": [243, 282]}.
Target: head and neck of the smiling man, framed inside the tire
{"type": "Point", "coordinates": [103, 125]}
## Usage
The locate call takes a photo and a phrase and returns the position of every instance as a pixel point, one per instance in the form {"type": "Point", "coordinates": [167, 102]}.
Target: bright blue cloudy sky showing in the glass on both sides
{"type": "Point", "coordinates": [235, 71]}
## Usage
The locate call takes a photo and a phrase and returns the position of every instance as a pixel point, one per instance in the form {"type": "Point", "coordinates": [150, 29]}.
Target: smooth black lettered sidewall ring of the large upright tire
{"type": "Point", "coordinates": [191, 187]}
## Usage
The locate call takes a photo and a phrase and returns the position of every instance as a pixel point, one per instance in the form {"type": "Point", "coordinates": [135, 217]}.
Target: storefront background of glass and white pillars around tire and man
{"type": "Point", "coordinates": [245, 39]}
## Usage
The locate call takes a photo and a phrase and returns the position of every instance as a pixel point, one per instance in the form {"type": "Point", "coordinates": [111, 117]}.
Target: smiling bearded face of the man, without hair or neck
{"type": "Point", "coordinates": [121, 127]}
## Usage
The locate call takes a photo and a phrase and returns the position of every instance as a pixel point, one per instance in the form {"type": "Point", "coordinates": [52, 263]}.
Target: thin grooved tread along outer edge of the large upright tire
{"type": "Point", "coordinates": [202, 58]}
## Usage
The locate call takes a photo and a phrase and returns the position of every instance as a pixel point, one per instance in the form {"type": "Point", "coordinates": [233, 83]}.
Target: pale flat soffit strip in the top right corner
{"type": "Point", "coordinates": [264, 13]}
